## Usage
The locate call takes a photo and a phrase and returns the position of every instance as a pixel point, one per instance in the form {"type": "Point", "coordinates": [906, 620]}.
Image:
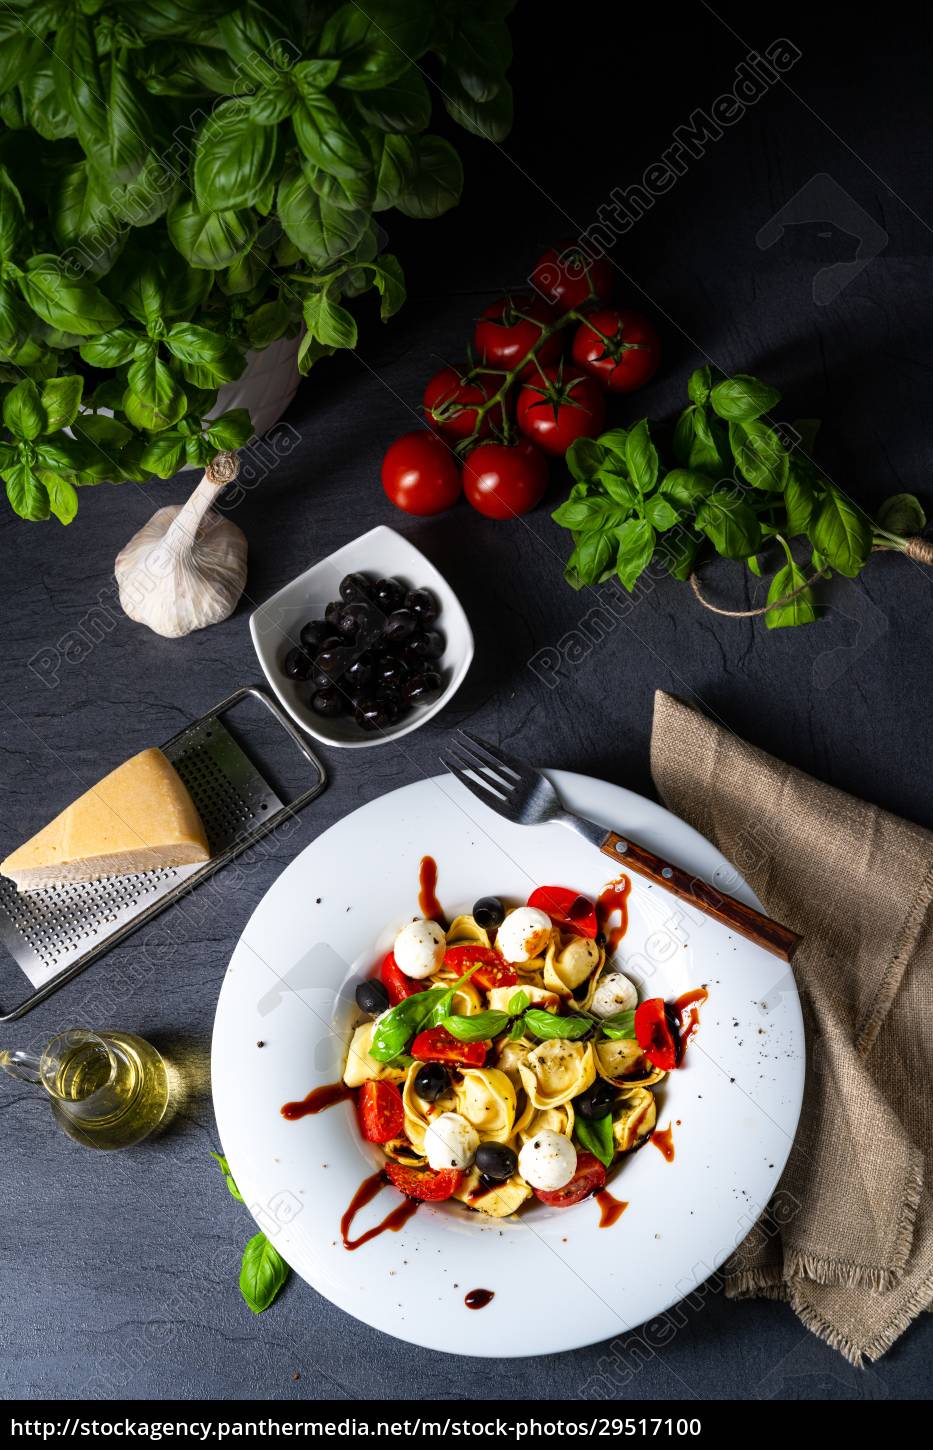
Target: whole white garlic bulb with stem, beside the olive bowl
{"type": "Point", "coordinates": [188, 566]}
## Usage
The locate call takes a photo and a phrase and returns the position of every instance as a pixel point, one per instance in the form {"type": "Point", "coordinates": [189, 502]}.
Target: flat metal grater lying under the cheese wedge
{"type": "Point", "coordinates": [59, 932]}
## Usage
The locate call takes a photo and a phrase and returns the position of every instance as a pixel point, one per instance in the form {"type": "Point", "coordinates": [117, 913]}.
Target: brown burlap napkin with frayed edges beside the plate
{"type": "Point", "coordinates": [855, 1255]}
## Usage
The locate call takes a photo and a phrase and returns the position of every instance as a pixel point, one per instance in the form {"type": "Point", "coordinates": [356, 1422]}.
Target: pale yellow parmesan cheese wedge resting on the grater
{"type": "Point", "coordinates": [139, 819]}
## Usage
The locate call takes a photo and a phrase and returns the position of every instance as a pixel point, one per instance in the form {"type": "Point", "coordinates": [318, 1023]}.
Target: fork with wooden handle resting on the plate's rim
{"type": "Point", "coordinates": [526, 797]}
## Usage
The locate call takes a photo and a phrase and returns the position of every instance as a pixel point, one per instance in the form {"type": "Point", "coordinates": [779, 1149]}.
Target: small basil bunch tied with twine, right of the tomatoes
{"type": "Point", "coordinates": [735, 486]}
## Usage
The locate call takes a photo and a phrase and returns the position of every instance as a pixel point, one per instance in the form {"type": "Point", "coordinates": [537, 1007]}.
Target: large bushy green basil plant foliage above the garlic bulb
{"type": "Point", "coordinates": [186, 181]}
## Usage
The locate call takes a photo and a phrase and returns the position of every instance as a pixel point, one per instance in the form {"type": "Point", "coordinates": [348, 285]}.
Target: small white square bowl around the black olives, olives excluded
{"type": "Point", "coordinates": [382, 553]}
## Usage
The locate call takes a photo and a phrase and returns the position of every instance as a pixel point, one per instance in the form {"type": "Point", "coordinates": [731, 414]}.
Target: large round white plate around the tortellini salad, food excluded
{"type": "Point", "coordinates": [559, 1281]}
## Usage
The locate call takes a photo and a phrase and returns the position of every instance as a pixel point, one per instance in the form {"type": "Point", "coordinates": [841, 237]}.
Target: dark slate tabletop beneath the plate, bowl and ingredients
{"type": "Point", "coordinates": [120, 1274]}
